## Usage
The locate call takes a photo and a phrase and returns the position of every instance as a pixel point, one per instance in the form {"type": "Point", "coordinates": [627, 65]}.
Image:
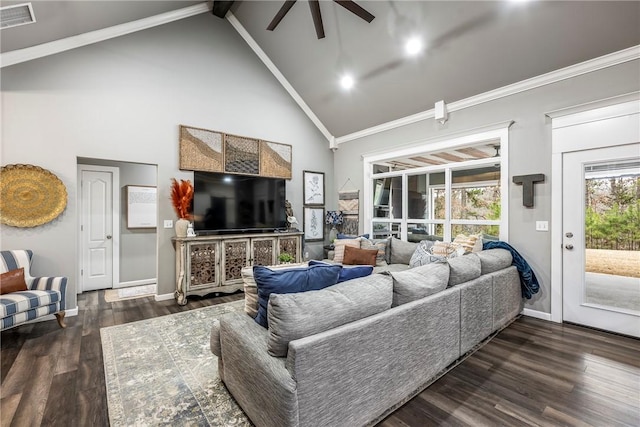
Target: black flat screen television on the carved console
{"type": "Point", "coordinates": [225, 203]}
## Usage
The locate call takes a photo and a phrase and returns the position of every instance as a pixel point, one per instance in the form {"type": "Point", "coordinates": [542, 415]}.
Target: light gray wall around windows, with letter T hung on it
{"type": "Point", "coordinates": [529, 152]}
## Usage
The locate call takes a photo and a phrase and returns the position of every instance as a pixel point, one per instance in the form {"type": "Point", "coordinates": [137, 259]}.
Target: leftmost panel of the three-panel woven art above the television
{"type": "Point", "coordinates": [201, 149]}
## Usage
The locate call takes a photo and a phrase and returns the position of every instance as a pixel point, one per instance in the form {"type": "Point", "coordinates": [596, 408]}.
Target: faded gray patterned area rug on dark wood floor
{"type": "Point", "coordinates": [161, 372]}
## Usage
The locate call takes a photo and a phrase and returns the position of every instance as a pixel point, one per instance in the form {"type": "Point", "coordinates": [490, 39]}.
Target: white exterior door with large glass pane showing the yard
{"type": "Point", "coordinates": [601, 240]}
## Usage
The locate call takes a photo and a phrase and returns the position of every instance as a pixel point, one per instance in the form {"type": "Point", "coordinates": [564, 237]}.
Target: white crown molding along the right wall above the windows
{"type": "Point", "coordinates": [589, 66]}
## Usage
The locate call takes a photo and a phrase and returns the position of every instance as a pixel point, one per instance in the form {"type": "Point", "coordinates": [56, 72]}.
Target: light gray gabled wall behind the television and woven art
{"type": "Point", "coordinates": [123, 100]}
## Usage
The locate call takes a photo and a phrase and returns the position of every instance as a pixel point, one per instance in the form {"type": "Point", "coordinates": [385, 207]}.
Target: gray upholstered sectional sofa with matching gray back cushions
{"type": "Point", "coordinates": [350, 354]}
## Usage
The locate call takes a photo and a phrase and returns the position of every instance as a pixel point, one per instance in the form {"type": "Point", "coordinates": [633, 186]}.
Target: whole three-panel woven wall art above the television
{"type": "Point", "coordinates": [212, 151]}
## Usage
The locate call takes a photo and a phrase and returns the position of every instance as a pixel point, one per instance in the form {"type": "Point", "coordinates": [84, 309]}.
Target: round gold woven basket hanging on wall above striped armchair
{"type": "Point", "coordinates": [30, 196]}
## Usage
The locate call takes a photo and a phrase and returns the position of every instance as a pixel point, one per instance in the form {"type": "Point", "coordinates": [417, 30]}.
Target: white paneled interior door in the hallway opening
{"type": "Point", "coordinates": [98, 235]}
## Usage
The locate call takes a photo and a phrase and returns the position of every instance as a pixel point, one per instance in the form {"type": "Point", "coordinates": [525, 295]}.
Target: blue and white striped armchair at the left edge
{"type": "Point", "coordinates": [44, 295]}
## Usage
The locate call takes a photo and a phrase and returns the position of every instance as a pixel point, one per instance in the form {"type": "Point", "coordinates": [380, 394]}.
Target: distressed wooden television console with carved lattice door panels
{"type": "Point", "coordinates": [208, 264]}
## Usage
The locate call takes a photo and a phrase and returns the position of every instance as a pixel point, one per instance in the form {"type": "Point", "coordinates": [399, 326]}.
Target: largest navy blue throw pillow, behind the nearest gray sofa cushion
{"type": "Point", "coordinates": [290, 281]}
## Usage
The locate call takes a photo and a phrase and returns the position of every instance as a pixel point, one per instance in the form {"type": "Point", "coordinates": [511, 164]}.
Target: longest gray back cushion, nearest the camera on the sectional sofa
{"type": "Point", "coordinates": [294, 316]}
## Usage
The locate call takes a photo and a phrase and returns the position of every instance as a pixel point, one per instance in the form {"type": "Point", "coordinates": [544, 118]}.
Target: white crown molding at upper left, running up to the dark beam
{"type": "Point", "coordinates": [30, 53]}
